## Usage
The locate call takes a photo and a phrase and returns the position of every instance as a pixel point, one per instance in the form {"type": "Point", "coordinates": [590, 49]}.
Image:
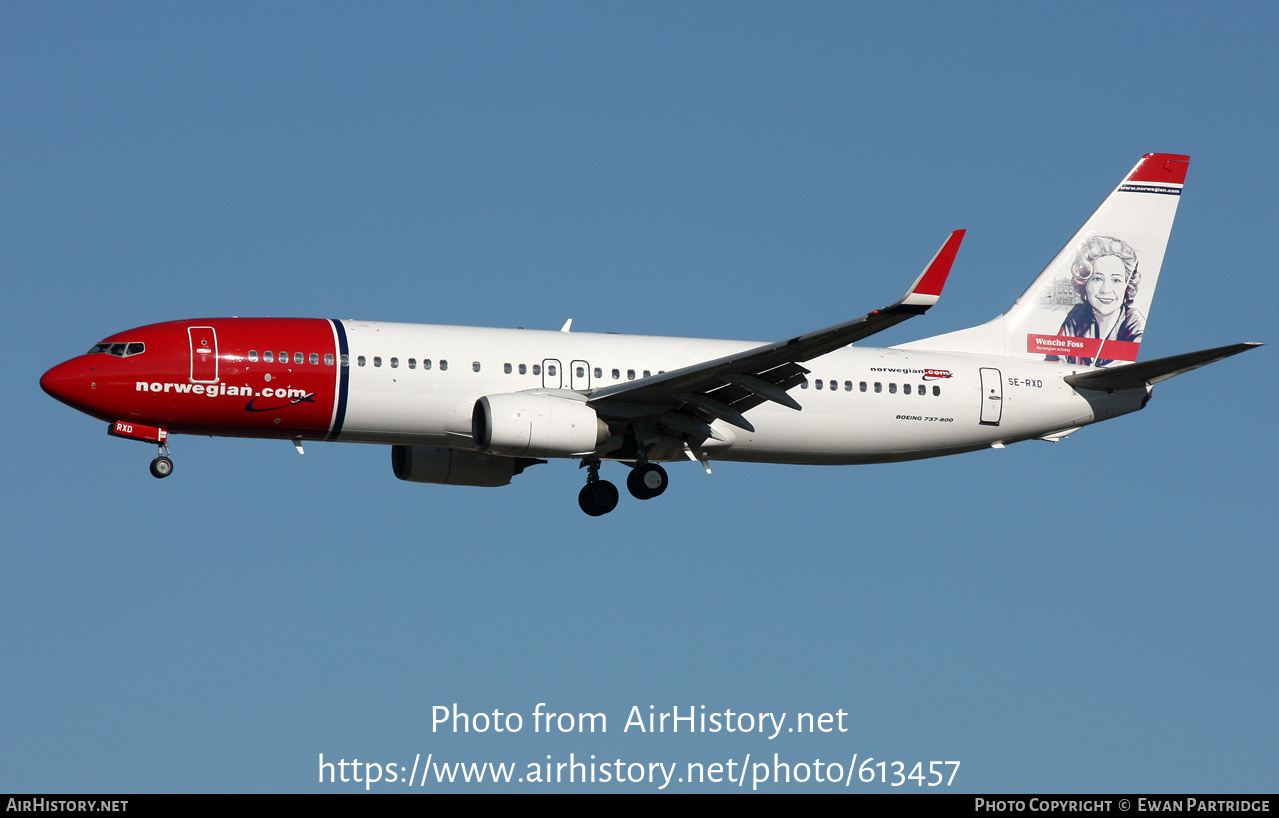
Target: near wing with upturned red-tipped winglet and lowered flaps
{"type": "Point", "coordinates": [727, 388]}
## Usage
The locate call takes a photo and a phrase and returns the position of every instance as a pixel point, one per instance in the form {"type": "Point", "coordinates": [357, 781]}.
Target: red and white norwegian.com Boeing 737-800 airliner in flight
{"type": "Point", "coordinates": [476, 407]}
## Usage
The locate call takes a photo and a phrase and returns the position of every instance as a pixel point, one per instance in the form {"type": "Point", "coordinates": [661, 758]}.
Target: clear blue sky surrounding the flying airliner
{"type": "Point", "coordinates": [1097, 615]}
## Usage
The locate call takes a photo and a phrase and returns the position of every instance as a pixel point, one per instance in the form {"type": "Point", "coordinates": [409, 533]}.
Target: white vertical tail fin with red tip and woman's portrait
{"type": "Point", "coordinates": [1090, 306]}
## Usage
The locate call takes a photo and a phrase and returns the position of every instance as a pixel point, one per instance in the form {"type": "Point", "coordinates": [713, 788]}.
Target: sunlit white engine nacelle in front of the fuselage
{"type": "Point", "coordinates": [537, 425]}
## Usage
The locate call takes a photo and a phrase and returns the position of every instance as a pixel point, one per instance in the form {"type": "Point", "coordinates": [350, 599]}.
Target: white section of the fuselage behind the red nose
{"type": "Point", "coordinates": [873, 405]}
